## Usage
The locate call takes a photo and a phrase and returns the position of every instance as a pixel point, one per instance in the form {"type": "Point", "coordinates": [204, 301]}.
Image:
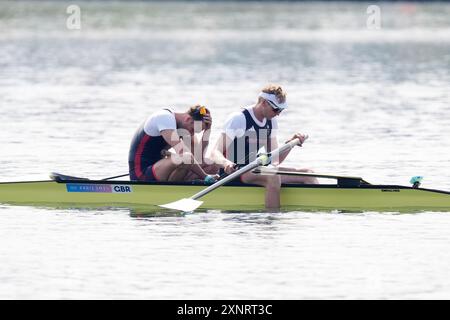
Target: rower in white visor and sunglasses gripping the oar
{"type": "Point", "coordinates": [253, 128]}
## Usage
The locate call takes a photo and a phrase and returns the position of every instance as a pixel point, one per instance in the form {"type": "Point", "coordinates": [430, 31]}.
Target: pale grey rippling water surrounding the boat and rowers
{"type": "Point", "coordinates": [376, 103]}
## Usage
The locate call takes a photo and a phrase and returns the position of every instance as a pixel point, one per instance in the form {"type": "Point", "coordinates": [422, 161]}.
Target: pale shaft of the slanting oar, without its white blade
{"type": "Point", "coordinates": [262, 160]}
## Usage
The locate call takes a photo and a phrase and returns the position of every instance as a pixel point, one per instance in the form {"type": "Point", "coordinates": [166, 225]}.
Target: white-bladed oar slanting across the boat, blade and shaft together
{"type": "Point", "coordinates": [191, 204]}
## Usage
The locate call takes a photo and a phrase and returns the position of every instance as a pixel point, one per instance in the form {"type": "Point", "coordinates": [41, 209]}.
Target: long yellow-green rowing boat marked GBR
{"type": "Point", "coordinates": [348, 194]}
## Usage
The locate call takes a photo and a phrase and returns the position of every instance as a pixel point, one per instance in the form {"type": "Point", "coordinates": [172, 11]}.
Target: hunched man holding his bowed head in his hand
{"type": "Point", "coordinates": [149, 156]}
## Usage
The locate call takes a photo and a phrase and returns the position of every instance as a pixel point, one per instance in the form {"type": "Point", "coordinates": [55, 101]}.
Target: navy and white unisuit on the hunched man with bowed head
{"type": "Point", "coordinates": [147, 144]}
